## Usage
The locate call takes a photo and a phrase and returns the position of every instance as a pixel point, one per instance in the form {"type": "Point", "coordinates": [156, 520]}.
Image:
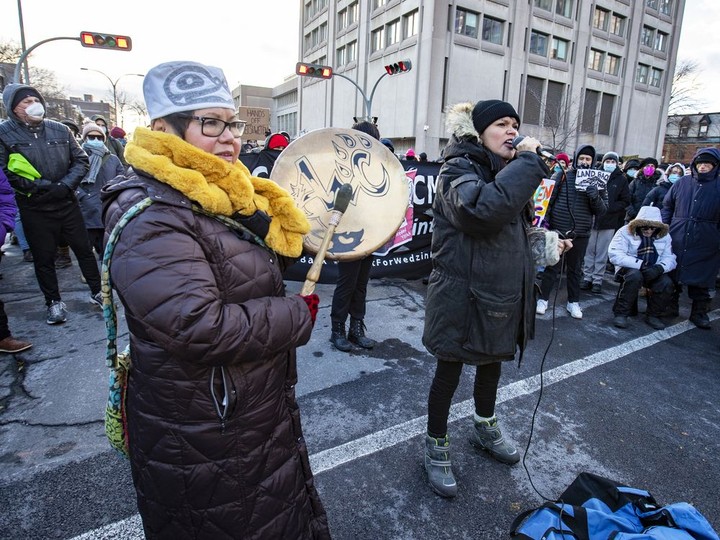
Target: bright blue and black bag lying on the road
{"type": "Point", "coordinates": [595, 508]}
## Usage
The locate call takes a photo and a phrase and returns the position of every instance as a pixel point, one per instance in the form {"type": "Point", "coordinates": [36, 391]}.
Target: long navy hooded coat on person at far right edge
{"type": "Point", "coordinates": [692, 209]}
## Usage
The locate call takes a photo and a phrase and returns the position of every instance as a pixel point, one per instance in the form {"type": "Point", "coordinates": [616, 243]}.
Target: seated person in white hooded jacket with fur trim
{"type": "Point", "coordinates": [641, 252]}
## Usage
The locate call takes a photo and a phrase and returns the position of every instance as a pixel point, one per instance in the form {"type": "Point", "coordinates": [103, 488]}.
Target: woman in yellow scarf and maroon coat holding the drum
{"type": "Point", "coordinates": [215, 439]}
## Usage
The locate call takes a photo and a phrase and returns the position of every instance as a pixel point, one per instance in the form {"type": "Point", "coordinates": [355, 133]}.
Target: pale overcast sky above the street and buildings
{"type": "Point", "coordinates": [255, 42]}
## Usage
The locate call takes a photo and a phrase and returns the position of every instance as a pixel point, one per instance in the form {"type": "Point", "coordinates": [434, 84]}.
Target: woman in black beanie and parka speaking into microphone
{"type": "Point", "coordinates": [480, 305]}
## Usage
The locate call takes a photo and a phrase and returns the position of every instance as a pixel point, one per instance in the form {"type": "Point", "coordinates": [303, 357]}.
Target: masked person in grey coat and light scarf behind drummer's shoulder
{"type": "Point", "coordinates": [104, 166]}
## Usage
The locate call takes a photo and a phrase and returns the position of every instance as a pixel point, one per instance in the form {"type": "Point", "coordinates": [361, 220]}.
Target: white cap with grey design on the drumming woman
{"type": "Point", "coordinates": [185, 86]}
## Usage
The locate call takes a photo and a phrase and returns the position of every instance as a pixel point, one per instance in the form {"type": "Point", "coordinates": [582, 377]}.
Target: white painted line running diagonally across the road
{"type": "Point", "coordinates": [131, 528]}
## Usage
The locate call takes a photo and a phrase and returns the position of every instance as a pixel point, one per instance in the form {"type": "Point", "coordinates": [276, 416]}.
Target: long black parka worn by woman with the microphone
{"type": "Point", "coordinates": [480, 304]}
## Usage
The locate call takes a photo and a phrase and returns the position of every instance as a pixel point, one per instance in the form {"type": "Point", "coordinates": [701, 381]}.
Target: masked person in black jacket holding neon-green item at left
{"type": "Point", "coordinates": [50, 212]}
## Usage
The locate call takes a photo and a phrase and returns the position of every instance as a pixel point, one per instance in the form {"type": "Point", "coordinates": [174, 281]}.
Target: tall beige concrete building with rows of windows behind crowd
{"type": "Point", "coordinates": [577, 71]}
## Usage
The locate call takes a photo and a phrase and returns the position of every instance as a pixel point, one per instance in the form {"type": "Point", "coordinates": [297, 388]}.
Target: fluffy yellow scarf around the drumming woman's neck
{"type": "Point", "coordinates": [218, 186]}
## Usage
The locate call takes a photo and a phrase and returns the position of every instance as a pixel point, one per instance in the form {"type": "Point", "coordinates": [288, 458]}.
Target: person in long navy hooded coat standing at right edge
{"type": "Point", "coordinates": [692, 209]}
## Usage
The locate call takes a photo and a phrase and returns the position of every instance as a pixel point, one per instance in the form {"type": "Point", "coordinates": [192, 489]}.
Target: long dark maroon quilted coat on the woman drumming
{"type": "Point", "coordinates": [216, 445]}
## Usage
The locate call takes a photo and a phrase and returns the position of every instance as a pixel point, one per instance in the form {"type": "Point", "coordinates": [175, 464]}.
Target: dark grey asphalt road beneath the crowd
{"type": "Point", "coordinates": [637, 405]}
